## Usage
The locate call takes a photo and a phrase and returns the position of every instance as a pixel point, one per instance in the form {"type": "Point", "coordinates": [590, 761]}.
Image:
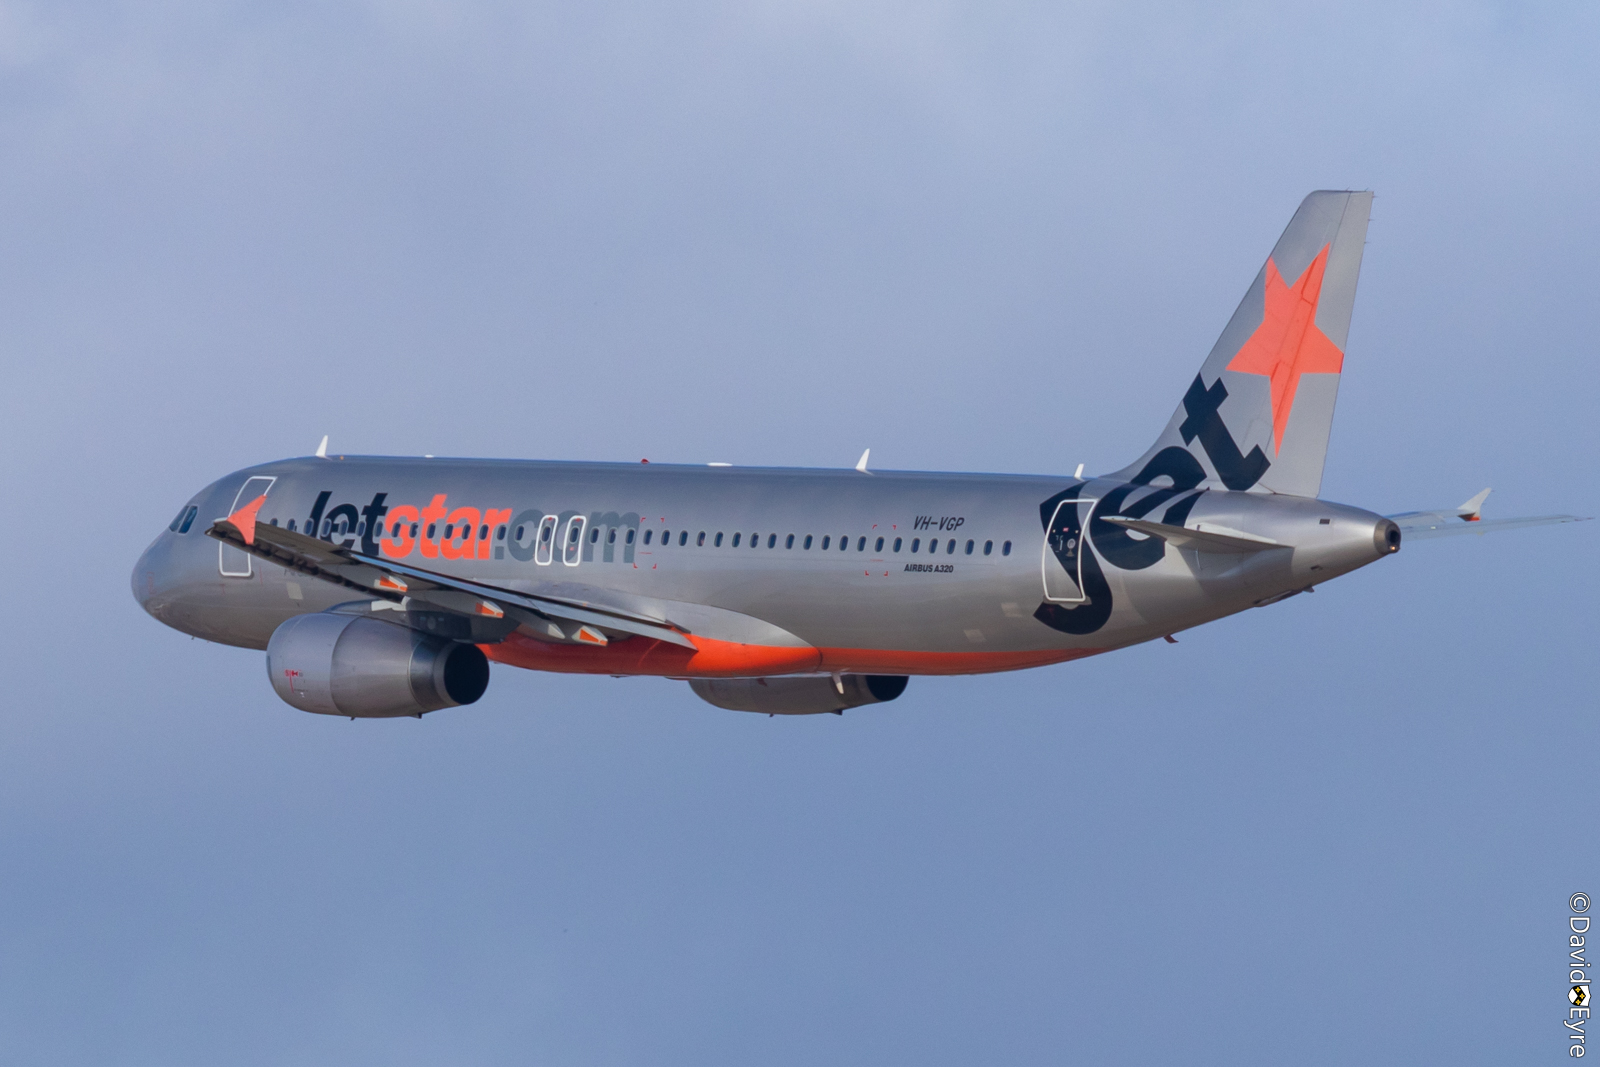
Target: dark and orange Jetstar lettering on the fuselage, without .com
{"type": "Point", "coordinates": [398, 530]}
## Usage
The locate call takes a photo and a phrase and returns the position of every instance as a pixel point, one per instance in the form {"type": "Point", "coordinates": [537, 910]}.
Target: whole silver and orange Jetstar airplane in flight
{"type": "Point", "coordinates": [386, 586]}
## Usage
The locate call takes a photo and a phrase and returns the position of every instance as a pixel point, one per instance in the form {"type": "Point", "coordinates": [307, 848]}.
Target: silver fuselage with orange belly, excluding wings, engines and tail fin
{"type": "Point", "coordinates": [724, 554]}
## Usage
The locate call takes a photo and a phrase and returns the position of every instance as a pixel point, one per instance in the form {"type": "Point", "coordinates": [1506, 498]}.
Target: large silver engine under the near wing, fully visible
{"type": "Point", "coordinates": [364, 668]}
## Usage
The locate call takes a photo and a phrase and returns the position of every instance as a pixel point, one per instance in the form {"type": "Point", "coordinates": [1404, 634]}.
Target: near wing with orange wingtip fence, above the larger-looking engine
{"type": "Point", "coordinates": [556, 618]}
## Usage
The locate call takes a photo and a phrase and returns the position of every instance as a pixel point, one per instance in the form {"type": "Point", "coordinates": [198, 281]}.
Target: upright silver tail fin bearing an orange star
{"type": "Point", "coordinates": [1258, 414]}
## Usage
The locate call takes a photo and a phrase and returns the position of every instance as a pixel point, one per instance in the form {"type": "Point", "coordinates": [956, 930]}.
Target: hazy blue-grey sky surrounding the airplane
{"type": "Point", "coordinates": [972, 238]}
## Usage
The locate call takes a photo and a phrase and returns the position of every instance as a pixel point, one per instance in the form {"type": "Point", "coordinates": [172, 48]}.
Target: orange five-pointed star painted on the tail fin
{"type": "Point", "coordinates": [1287, 343]}
